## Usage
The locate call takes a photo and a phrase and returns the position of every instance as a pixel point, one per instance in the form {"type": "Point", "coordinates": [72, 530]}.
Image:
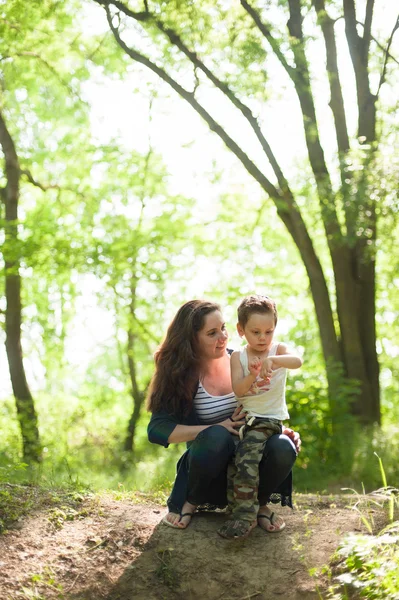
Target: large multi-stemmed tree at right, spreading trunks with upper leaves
{"type": "Point", "coordinates": [228, 46]}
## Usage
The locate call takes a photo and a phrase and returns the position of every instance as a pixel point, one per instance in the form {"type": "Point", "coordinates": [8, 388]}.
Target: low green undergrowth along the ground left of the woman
{"type": "Point", "coordinates": [83, 446]}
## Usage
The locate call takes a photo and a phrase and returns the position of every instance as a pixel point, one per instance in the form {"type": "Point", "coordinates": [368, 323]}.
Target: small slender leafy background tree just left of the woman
{"type": "Point", "coordinates": [139, 230]}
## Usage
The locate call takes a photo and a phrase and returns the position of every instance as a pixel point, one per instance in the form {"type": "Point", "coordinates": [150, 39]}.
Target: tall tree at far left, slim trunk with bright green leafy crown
{"type": "Point", "coordinates": [36, 97]}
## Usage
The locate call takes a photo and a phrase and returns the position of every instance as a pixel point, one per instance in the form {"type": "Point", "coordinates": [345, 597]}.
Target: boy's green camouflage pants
{"type": "Point", "coordinates": [243, 471]}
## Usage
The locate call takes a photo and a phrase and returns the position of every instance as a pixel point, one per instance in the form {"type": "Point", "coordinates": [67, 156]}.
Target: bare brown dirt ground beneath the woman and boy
{"type": "Point", "coordinates": [120, 550]}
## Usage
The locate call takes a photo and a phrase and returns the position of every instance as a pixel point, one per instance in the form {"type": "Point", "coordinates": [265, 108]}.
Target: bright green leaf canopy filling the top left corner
{"type": "Point", "coordinates": [42, 69]}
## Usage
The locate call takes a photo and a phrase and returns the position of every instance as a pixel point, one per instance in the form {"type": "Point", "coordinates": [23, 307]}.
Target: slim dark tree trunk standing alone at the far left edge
{"type": "Point", "coordinates": [24, 402]}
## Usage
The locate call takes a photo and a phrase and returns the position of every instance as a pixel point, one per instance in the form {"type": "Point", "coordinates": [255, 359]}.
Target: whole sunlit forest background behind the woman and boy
{"type": "Point", "coordinates": [153, 152]}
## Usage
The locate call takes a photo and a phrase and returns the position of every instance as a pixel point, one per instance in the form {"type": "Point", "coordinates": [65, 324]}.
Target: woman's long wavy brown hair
{"type": "Point", "coordinates": [177, 360]}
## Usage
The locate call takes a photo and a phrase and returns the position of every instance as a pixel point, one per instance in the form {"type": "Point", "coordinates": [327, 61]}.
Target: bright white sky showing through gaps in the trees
{"type": "Point", "coordinates": [199, 165]}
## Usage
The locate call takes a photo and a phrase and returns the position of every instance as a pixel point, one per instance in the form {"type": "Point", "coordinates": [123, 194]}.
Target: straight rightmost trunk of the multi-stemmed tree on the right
{"type": "Point", "coordinates": [364, 250]}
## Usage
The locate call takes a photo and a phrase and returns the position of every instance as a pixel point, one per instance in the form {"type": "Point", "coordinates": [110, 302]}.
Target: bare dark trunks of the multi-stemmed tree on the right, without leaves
{"type": "Point", "coordinates": [351, 346]}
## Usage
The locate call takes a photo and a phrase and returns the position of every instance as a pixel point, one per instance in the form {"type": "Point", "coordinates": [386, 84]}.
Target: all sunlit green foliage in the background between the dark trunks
{"type": "Point", "coordinates": [109, 231]}
